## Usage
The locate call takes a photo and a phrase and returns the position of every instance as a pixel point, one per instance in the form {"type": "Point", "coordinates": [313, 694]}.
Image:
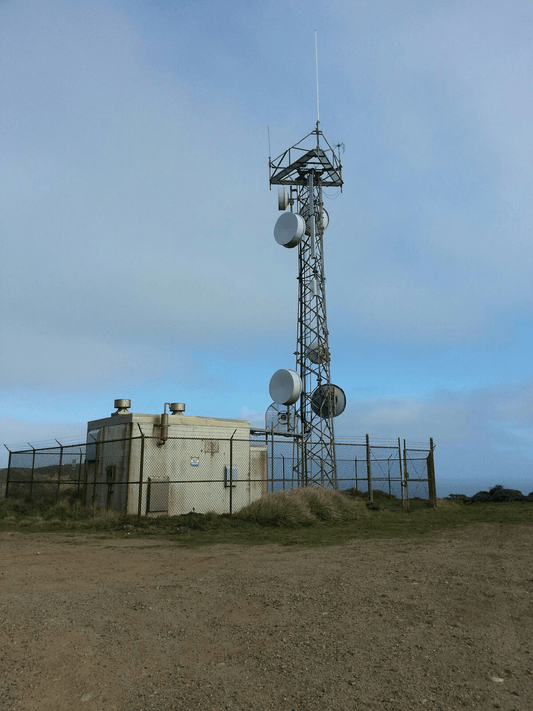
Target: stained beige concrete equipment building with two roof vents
{"type": "Point", "coordinates": [172, 463]}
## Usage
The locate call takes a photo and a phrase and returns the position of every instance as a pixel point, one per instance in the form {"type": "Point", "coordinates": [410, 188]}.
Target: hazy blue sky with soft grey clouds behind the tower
{"type": "Point", "coordinates": [137, 224]}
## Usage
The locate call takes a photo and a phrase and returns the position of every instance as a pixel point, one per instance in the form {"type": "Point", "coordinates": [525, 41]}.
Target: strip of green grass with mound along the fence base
{"type": "Point", "coordinates": [310, 516]}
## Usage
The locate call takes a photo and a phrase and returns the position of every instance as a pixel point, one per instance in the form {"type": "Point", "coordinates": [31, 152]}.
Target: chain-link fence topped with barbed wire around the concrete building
{"type": "Point", "coordinates": [141, 475]}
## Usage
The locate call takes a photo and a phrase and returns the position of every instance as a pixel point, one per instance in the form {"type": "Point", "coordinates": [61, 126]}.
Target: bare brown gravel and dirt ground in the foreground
{"type": "Point", "coordinates": [443, 621]}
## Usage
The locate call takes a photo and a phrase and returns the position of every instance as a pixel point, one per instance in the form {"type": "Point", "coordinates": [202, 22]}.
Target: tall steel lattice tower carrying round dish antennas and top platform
{"type": "Point", "coordinates": [306, 168]}
